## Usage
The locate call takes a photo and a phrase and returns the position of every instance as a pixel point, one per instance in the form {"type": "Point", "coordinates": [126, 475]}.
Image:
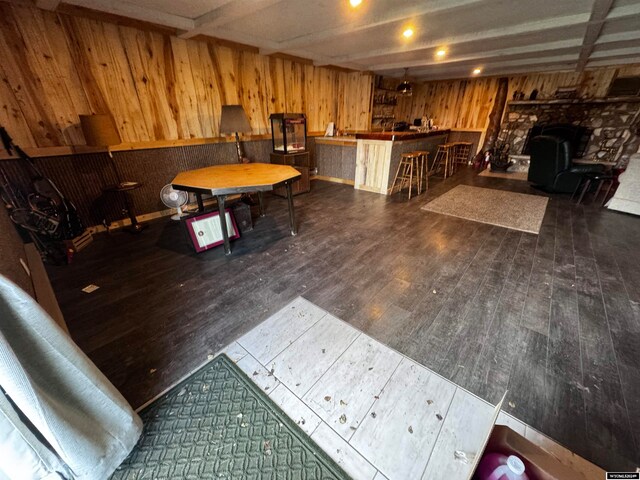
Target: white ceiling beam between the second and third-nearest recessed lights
{"type": "Point", "coordinates": [494, 33]}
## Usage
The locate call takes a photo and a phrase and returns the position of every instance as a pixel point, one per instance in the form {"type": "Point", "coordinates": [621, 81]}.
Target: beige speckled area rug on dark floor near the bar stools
{"type": "Point", "coordinates": [517, 211]}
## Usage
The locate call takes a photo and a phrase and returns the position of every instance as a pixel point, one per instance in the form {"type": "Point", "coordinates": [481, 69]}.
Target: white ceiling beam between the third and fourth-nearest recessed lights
{"type": "Point", "coordinates": [480, 56]}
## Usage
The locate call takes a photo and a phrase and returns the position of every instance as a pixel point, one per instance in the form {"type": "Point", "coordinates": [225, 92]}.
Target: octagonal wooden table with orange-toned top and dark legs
{"type": "Point", "coordinates": [223, 180]}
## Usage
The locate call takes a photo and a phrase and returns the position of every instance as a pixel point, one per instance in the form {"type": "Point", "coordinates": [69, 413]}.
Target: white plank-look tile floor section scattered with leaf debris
{"type": "Point", "coordinates": [377, 413]}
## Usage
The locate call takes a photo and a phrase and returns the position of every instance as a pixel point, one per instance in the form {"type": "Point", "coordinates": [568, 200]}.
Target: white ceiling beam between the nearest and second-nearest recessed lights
{"type": "Point", "coordinates": [373, 20]}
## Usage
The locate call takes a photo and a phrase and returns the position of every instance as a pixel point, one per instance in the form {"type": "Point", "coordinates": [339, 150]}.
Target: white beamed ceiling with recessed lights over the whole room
{"type": "Point", "coordinates": [496, 36]}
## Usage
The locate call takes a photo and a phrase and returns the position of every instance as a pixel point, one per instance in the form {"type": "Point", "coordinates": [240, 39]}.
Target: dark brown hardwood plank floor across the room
{"type": "Point", "coordinates": [554, 318]}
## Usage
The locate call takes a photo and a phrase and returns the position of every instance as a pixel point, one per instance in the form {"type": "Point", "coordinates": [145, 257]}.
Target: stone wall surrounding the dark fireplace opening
{"type": "Point", "coordinates": [615, 124]}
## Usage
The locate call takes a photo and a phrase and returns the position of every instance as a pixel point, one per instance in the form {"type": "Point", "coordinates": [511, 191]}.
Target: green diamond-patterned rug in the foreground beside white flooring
{"type": "Point", "coordinates": [218, 425]}
